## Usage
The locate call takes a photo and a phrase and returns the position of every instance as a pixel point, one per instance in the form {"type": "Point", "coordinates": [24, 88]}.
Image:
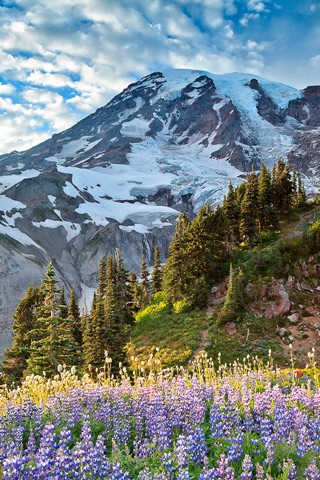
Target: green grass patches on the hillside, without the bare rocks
{"type": "Point", "coordinates": [178, 336]}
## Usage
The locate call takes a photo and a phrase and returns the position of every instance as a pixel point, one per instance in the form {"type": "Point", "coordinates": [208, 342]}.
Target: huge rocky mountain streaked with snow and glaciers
{"type": "Point", "coordinates": [168, 143]}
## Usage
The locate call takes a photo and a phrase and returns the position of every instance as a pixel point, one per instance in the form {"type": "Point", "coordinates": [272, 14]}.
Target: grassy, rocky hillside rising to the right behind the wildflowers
{"type": "Point", "coordinates": [282, 307]}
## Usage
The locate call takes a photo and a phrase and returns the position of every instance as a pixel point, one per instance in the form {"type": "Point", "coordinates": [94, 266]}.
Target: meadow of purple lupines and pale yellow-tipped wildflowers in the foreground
{"type": "Point", "coordinates": [207, 421]}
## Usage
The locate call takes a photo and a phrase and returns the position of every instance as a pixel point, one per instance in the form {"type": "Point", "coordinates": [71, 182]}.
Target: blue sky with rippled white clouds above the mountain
{"type": "Point", "coordinates": [60, 60]}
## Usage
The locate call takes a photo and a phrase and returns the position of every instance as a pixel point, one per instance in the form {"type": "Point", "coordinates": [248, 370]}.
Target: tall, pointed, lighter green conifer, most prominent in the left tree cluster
{"type": "Point", "coordinates": [52, 340]}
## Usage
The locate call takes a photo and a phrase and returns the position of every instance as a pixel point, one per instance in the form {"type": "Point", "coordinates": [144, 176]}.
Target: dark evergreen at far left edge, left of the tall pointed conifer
{"type": "Point", "coordinates": [24, 321]}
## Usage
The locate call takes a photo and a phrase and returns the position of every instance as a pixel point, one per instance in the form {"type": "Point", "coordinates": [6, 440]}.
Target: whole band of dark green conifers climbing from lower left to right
{"type": "Point", "coordinates": [49, 332]}
